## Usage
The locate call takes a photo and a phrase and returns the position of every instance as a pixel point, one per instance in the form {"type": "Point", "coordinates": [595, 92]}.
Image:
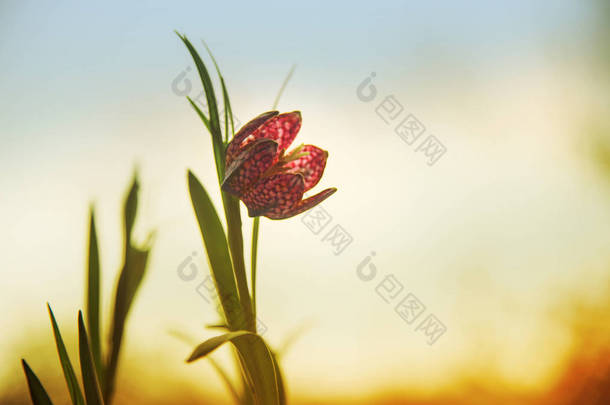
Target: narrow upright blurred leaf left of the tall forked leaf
{"type": "Point", "coordinates": [93, 296]}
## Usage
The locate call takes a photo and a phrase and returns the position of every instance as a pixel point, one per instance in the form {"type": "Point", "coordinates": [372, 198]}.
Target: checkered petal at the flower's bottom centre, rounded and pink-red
{"type": "Point", "coordinates": [277, 193]}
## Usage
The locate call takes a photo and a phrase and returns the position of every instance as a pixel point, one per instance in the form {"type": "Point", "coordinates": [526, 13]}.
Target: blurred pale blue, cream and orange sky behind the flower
{"type": "Point", "coordinates": [499, 225]}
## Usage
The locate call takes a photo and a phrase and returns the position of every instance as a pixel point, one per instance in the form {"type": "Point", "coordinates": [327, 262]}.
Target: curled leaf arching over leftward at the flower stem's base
{"type": "Point", "coordinates": [257, 361]}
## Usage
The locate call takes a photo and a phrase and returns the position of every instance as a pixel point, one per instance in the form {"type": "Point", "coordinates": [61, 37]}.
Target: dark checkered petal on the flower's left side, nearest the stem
{"type": "Point", "coordinates": [246, 169]}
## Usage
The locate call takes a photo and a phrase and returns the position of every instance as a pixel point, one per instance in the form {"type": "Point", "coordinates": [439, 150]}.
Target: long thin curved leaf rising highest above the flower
{"type": "Point", "coordinates": [214, 126]}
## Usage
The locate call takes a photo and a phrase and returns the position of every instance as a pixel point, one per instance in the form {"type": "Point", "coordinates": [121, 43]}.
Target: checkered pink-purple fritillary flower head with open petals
{"type": "Point", "coordinates": [268, 180]}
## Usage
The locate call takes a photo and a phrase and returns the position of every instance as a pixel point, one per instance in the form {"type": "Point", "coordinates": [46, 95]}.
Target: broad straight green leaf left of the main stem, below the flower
{"type": "Point", "coordinates": [217, 250]}
